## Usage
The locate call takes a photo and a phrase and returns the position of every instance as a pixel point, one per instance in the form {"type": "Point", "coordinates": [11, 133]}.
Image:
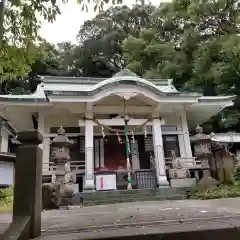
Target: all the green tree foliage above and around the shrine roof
{"type": "Point", "coordinates": [194, 42]}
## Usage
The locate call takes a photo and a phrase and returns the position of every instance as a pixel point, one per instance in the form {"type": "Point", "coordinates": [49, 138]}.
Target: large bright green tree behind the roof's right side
{"type": "Point", "coordinates": [197, 44]}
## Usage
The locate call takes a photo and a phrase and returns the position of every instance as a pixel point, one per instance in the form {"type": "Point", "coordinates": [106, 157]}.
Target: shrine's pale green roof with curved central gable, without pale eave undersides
{"type": "Point", "coordinates": [86, 87]}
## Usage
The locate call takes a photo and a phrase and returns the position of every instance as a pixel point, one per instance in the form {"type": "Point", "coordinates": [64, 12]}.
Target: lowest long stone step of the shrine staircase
{"type": "Point", "coordinates": [112, 201]}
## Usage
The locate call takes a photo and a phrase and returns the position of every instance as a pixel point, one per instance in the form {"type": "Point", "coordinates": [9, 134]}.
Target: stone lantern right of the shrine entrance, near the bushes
{"type": "Point", "coordinates": [202, 148]}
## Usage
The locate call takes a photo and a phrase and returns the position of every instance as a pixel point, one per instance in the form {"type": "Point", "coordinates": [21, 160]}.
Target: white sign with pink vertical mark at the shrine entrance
{"type": "Point", "coordinates": [106, 182]}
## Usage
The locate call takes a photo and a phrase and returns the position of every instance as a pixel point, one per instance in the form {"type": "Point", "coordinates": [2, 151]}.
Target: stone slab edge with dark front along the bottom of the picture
{"type": "Point", "coordinates": [214, 229]}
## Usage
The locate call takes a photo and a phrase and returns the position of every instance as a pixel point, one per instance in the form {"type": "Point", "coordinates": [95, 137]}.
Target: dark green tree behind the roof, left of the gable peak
{"type": "Point", "coordinates": [99, 52]}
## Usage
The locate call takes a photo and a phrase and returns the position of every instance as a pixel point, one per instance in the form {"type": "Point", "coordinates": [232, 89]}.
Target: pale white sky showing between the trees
{"type": "Point", "coordinates": [67, 25]}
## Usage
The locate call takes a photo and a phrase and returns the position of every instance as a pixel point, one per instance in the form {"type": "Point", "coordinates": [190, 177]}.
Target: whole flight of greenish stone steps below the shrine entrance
{"type": "Point", "coordinates": [136, 195]}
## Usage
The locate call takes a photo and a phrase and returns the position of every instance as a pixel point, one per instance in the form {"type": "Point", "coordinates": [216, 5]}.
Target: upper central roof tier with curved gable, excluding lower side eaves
{"type": "Point", "coordinates": [81, 86]}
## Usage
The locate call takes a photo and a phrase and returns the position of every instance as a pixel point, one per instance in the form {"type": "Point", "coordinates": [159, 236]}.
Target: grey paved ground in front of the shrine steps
{"type": "Point", "coordinates": [134, 218]}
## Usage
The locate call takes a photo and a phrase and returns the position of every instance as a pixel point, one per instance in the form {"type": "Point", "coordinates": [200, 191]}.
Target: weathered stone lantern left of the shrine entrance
{"type": "Point", "coordinates": [60, 156]}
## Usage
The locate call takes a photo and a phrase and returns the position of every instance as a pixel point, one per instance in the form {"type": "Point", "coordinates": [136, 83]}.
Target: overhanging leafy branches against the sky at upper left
{"type": "Point", "coordinates": [19, 31]}
